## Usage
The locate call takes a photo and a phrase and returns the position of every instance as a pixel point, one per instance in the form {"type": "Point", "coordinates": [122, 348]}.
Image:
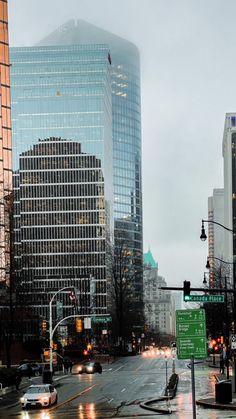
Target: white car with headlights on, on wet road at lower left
{"type": "Point", "coordinates": [39, 395]}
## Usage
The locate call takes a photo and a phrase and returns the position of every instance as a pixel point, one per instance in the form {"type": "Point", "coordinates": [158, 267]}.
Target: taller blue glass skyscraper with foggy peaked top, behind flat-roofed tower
{"type": "Point", "coordinates": [126, 129]}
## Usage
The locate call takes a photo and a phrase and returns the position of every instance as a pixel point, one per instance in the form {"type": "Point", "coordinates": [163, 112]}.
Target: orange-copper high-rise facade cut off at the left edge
{"type": "Point", "coordinates": [5, 143]}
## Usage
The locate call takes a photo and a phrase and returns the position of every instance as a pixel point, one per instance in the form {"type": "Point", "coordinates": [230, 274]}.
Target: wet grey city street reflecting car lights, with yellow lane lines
{"type": "Point", "coordinates": [120, 389]}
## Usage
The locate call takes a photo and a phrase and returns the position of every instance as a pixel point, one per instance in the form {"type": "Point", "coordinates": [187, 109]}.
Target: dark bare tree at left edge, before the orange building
{"type": "Point", "coordinates": [14, 292]}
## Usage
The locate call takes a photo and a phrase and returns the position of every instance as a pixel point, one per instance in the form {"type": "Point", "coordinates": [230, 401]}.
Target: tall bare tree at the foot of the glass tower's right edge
{"type": "Point", "coordinates": [125, 302]}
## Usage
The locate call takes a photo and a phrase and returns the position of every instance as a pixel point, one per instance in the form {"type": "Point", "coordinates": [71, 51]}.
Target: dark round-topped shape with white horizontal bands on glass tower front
{"type": "Point", "coordinates": [62, 220]}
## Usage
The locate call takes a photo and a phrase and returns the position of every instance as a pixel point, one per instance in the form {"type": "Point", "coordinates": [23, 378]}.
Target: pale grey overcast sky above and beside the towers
{"type": "Point", "coordinates": [188, 62]}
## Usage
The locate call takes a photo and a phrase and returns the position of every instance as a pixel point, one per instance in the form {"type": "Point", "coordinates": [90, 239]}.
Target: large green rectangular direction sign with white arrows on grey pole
{"type": "Point", "coordinates": [191, 334]}
